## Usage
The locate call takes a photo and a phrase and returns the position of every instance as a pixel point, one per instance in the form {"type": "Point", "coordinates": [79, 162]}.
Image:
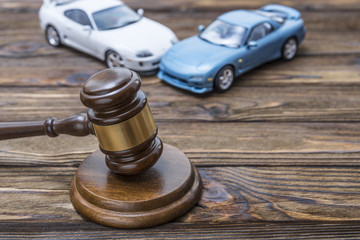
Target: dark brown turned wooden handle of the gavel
{"type": "Point", "coordinates": [76, 125]}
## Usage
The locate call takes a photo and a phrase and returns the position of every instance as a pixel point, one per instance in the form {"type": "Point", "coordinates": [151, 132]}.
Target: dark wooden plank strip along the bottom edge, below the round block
{"type": "Point", "coordinates": [86, 230]}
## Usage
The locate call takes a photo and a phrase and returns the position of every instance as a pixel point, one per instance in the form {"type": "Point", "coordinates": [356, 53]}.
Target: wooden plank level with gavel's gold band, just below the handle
{"type": "Point", "coordinates": [251, 144]}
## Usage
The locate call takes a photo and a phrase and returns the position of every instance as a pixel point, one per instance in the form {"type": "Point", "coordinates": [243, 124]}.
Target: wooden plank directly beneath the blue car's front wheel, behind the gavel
{"type": "Point", "coordinates": [249, 103]}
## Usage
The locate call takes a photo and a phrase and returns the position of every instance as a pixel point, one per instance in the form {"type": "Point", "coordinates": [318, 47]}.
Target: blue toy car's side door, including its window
{"type": "Point", "coordinates": [260, 45]}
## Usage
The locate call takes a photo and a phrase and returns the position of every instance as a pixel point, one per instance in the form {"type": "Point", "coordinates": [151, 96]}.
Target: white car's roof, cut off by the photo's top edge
{"type": "Point", "coordinates": [91, 6]}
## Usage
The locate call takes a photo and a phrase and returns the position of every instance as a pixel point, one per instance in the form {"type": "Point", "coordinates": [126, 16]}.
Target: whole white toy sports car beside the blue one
{"type": "Point", "coordinates": [108, 30]}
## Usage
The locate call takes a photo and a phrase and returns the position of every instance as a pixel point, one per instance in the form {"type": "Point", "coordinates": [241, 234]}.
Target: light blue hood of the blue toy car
{"type": "Point", "coordinates": [195, 52]}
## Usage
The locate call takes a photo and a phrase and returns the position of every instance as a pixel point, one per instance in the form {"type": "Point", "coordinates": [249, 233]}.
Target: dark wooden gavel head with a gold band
{"type": "Point", "coordinates": [122, 121]}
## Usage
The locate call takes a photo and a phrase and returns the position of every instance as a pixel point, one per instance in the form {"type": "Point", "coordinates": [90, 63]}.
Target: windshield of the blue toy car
{"type": "Point", "coordinates": [225, 34]}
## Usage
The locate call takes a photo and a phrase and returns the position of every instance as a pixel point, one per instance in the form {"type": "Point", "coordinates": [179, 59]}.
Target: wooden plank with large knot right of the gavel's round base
{"type": "Point", "coordinates": [231, 195]}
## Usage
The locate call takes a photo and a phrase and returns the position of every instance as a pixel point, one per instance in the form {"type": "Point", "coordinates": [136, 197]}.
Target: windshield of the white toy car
{"type": "Point", "coordinates": [115, 17]}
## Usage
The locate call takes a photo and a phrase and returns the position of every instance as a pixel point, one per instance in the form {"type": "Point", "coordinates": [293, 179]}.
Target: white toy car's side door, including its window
{"type": "Point", "coordinates": [79, 31]}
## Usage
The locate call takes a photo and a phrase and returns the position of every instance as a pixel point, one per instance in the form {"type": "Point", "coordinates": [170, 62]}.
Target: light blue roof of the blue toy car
{"type": "Point", "coordinates": [244, 18]}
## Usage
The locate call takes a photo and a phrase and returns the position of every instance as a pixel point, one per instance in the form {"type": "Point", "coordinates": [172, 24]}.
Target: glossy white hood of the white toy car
{"type": "Point", "coordinates": [145, 34]}
